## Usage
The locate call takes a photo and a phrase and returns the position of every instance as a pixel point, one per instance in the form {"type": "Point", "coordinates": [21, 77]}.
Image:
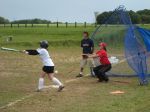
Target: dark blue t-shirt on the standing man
{"type": "Point", "coordinates": [87, 45]}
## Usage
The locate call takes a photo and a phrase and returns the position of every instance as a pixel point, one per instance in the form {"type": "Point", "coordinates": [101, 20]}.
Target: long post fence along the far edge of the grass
{"type": "Point", "coordinates": [57, 24]}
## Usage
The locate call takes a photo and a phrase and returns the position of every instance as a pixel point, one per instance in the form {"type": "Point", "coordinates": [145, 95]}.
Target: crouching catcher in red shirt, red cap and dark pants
{"type": "Point", "coordinates": [105, 63]}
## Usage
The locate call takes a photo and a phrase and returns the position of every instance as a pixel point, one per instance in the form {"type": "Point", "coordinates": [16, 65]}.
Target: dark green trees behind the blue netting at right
{"type": "Point", "coordinates": [138, 17]}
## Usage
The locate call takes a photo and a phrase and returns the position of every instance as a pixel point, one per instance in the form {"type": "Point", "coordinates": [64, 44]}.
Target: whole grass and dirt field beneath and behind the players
{"type": "Point", "coordinates": [19, 76]}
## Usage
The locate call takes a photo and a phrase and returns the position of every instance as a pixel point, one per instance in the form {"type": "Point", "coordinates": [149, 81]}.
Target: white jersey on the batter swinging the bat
{"type": "Point", "coordinates": [45, 57]}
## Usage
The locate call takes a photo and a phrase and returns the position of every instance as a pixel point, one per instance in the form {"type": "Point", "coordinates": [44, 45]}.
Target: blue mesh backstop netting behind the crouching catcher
{"type": "Point", "coordinates": [127, 43]}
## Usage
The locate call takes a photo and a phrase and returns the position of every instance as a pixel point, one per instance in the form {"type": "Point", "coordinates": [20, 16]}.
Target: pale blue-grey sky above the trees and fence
{"type": "Point", "coordinates": [64, 10]}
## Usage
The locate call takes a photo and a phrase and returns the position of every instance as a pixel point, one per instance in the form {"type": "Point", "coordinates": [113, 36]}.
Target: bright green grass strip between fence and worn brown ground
{"type": "Point", "coordinates": [31, 36]}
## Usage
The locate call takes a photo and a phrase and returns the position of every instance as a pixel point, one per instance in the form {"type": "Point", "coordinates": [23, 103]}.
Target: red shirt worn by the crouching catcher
{"type": "Point", "coordinates": [103, 57]}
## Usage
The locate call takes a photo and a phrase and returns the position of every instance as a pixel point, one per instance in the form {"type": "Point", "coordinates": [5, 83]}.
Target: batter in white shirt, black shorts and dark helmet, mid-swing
{"type": "Point", "coordinates": [48, 67]}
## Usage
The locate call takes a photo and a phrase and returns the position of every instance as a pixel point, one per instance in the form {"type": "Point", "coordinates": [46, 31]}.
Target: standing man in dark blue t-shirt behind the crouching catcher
{"type": "Point", "coordinates": [87, 46]}
